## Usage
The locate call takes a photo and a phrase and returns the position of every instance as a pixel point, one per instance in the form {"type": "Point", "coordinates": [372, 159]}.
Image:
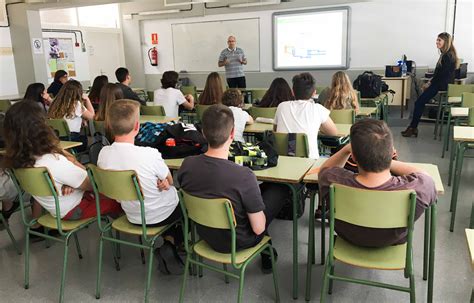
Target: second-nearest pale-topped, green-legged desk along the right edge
{"type": "Point", "coordinates": [464, 138]}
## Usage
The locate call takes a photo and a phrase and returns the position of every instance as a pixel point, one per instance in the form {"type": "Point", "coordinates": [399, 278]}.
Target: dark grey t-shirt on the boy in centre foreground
{"type": "Point", "coordinates": [208, 177]}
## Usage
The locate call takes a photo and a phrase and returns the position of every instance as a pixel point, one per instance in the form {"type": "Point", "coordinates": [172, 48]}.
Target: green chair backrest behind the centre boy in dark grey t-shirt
{"type": "Point", "coordinates": [213, 213]}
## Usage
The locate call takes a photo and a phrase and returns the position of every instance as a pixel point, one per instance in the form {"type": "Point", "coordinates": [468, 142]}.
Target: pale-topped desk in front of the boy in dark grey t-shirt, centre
{"type": "Point", "coordinates": [289, 171]}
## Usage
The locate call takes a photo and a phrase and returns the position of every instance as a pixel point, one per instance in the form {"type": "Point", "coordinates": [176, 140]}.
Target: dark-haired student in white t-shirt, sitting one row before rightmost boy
{"type": "Point", "coordinates": [303, 115]}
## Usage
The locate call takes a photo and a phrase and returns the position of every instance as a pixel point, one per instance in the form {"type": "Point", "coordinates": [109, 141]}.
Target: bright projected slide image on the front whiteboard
{"type": "Point", "coordinates": [310, 40]}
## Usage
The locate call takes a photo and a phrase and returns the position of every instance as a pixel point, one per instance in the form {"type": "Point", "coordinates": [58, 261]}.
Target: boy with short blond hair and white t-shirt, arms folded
{"type": "Point", "coordinates": [160, 196]}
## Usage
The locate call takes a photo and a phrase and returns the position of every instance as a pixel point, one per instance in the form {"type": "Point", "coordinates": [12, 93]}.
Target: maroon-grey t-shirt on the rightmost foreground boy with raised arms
{"type": "Point", "coordinates": [421, 183]}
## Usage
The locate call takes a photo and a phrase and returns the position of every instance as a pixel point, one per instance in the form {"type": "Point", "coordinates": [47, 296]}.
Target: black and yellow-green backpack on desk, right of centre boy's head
{"type": "Point", "coordinates": [248, 154]}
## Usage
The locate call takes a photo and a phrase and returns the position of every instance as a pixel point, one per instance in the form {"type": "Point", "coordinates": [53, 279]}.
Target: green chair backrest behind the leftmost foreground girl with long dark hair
{"type": "Point", "coordinates": [36, 181]}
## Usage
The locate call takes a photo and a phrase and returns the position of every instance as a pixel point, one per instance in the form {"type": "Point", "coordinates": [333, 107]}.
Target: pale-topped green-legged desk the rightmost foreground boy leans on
{"type": "Point", "coordinates": [430, 228]}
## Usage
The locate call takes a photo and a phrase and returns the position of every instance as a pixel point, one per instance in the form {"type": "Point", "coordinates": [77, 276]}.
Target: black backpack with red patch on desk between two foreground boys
{"type": "Point", "coordinates": [180, 140]}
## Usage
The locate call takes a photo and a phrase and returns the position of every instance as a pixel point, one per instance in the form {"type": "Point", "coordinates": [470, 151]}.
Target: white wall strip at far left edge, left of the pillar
{"type": "Point", "coordinates": [8, 85]}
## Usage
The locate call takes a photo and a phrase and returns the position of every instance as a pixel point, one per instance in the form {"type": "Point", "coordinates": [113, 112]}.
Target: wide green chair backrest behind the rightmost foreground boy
{"type": "Point", "coordinates": [372, 208]}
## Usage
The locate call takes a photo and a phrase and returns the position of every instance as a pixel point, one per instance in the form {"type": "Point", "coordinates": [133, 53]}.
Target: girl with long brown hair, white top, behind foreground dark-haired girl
{"type": "Point", "coordinates": [73, 106]}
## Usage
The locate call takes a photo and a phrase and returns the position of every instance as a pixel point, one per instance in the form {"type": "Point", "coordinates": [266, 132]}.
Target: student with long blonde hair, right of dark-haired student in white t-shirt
{"type": "Point", "coordinates": [341, 94]}
